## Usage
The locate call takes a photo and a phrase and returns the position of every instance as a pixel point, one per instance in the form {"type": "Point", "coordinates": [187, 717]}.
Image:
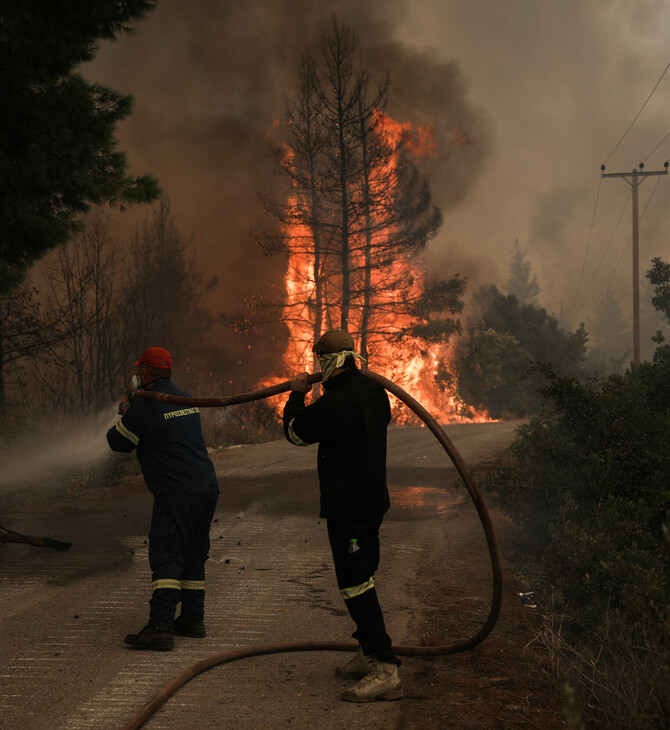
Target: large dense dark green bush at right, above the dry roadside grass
{"type": "Point", "coordinates": [590, 491]}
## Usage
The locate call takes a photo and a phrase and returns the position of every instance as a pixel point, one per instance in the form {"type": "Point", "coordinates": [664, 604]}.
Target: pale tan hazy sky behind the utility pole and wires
{"type": "Point", "coordinates": [561, 82]}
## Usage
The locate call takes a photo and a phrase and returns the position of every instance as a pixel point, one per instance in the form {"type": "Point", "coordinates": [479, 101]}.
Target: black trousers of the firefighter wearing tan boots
{"type": "Point", "coordinates": [355, 570]}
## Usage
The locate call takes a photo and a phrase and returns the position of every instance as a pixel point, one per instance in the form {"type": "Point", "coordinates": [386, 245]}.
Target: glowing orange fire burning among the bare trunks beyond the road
{"type": "Point", "coordinates": [419, 367]}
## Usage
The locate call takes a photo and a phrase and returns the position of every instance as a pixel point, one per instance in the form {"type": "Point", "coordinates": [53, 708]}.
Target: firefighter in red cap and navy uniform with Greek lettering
{"type": "Point", "coordinates": [180, 475]}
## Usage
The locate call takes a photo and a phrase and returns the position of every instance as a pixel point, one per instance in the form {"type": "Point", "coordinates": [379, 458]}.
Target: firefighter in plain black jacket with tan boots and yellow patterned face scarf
{"type": "Point", "coordinates": [349, 422]}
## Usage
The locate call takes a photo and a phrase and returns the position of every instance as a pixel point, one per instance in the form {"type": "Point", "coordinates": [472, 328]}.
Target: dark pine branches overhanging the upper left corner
{"type": "Point", "coordinates": [58, 152]}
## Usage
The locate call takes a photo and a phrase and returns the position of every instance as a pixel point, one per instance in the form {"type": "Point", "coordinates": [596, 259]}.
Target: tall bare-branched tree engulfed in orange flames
{"type": "Point", "coordinates": [355, 219]}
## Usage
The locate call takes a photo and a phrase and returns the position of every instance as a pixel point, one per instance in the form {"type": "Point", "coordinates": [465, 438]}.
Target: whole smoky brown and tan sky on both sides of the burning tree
{"type": "Point", "coordinates": [543, 92]}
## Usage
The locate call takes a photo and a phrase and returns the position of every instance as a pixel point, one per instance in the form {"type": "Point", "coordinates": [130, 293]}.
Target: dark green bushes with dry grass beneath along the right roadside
{"type": "Point", "coordinates": [587, 485]}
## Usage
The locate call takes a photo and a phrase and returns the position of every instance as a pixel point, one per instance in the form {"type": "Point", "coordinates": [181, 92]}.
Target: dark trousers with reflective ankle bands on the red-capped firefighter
{"type": "Point", "coordinates": [178, 551]}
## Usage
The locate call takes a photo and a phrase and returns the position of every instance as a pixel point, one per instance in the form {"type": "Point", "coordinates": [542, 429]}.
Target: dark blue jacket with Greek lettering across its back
{"type": "Point", "coordinates": [170, 447]}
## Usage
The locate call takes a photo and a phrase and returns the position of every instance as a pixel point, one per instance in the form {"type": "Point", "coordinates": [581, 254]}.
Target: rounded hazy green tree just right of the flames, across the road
{"type": "Point", "coordinates": [495, 357]}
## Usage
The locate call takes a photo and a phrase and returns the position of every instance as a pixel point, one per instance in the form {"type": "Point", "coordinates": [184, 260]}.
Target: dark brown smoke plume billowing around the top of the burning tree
{"type": "Point", "coordinates": [210, 80]}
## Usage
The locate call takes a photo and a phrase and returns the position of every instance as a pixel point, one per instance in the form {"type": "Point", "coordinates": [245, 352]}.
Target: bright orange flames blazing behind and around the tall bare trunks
{"type": "Point", "coordinates": [420, 368]}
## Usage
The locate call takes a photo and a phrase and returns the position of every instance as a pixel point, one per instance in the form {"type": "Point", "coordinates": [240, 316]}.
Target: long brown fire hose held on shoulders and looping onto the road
{"type": "Point", "coordinates": [416, 651]}
